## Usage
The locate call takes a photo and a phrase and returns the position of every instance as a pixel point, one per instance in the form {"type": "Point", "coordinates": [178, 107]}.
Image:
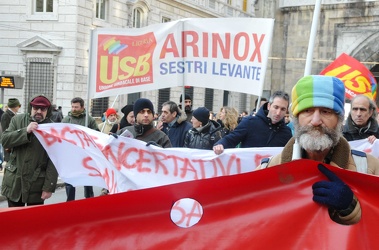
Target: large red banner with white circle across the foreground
{"type": "Point", "coordinates": [265, 209]}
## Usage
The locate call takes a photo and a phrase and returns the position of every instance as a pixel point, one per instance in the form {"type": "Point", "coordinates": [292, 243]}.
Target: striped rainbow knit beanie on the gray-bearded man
{"type": "Point", "coordinates": [318, 91]}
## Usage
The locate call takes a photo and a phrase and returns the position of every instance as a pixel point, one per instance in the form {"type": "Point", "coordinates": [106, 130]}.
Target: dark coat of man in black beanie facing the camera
{"type": "Point", "coordinates": [152, 134]}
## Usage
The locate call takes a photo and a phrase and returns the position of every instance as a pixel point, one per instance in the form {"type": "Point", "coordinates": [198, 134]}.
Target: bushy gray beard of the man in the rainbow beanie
{"type": "Point", "coordinates": [317, 138]}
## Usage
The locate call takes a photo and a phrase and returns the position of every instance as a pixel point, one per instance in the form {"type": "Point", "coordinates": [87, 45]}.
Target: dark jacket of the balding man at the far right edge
{"type": "Point", "coordinates": [352, 132]}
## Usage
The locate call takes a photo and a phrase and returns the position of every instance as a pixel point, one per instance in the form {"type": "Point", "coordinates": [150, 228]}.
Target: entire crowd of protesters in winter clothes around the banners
{"type": "Point", "coordinates": [315, 119]}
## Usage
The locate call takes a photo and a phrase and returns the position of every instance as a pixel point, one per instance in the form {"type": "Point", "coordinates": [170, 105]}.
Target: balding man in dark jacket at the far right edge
{"type": "Point", "coordinates": [361, 123]}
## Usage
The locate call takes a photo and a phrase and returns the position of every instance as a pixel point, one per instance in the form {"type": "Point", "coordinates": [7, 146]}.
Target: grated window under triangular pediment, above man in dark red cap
{"type": "Point", "coordinates": [39, 78]}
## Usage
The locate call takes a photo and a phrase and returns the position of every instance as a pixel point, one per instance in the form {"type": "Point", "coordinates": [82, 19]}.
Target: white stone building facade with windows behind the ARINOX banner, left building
{"type": "Point", "coordinates": [47, 43]}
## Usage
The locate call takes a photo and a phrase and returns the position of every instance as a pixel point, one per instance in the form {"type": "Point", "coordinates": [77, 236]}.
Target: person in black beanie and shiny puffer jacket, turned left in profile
{"type": "Point", "coordinates": [204, 132]}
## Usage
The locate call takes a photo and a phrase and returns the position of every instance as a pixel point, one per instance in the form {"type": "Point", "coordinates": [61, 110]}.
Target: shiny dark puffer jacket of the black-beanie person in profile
{"type": "Point", "coordinates": [204, 137]}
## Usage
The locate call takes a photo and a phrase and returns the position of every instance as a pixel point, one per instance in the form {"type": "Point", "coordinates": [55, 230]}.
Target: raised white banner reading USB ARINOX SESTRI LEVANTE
{"type": "Point", "coordinates": [200, 52]}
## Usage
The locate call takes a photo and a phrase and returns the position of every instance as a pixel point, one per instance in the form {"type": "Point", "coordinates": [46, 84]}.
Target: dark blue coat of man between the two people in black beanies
{"type": "Point", "coordinates": [177, 132]}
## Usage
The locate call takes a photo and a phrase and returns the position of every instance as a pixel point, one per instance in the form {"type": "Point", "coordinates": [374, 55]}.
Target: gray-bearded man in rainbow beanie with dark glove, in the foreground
{"type": "Point", "coordinates": [318, 113]}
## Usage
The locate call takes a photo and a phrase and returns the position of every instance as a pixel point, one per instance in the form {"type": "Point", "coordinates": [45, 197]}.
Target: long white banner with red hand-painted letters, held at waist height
{"type": "Point", "coordinates": [85, 157]}
